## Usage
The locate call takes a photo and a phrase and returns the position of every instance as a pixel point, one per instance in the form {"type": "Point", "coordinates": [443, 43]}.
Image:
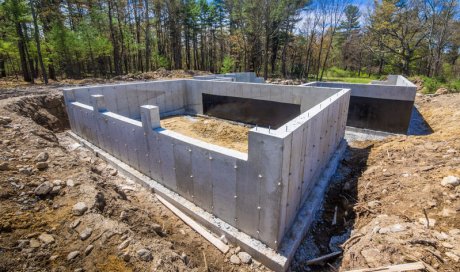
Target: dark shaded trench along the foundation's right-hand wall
{"type": "Point", "coordinates": [325, 237]}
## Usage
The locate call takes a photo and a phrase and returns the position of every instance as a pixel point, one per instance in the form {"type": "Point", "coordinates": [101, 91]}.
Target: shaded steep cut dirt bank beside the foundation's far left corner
{"type": "Point", "coordinates": [46, 110]}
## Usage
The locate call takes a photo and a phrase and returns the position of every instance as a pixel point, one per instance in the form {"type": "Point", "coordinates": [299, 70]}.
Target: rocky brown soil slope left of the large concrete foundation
{"type": "Point", "coordinates": [64, 209]}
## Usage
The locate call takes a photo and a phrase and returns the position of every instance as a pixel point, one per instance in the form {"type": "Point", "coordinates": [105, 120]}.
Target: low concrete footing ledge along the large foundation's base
{"type": "Point", "coordinates": [275, 260]}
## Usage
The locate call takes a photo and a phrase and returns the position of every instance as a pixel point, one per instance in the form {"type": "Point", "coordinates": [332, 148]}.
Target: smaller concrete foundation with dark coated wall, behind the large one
{"type": "Point", "coordinates": [382, 105]}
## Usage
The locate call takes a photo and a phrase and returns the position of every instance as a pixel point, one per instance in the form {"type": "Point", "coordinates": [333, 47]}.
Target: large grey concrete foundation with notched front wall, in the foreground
{"type": "Point", "coordinates": [256, 196]}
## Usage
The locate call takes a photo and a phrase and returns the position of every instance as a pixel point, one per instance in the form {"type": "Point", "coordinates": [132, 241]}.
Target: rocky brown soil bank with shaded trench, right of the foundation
{"type": "Point", "coordinates": [395, 200]}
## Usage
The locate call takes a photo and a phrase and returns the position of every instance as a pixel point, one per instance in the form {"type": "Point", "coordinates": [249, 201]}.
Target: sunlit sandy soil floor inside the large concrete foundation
{"type": "Point", "coordinates": [211, 130]}
